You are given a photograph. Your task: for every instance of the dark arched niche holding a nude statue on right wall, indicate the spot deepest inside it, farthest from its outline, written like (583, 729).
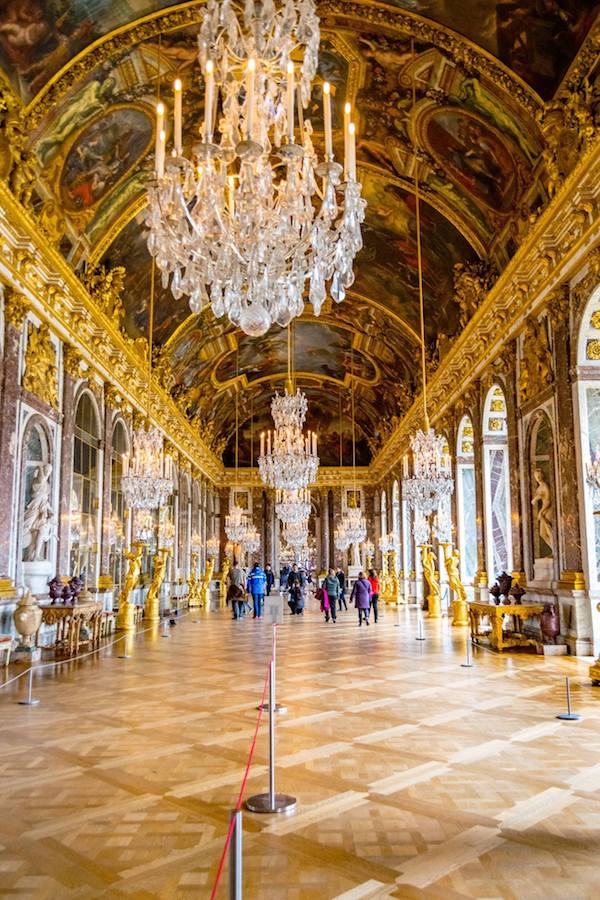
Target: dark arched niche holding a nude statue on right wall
(543, 518)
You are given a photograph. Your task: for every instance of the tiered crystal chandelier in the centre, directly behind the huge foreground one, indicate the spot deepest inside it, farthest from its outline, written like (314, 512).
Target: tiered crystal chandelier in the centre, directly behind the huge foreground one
(288, 460)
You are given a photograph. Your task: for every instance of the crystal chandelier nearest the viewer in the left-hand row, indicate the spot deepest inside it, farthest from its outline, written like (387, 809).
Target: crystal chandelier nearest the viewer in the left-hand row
(147, 480)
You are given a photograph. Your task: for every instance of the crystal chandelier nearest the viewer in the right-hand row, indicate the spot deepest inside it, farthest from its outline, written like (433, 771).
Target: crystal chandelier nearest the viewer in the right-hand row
(432, 481)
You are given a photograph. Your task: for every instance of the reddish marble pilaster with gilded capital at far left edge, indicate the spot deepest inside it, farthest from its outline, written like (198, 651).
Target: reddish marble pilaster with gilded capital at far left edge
(15, 310)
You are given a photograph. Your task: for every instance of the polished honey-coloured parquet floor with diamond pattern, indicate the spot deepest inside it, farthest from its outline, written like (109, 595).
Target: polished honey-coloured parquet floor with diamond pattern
(415, 777)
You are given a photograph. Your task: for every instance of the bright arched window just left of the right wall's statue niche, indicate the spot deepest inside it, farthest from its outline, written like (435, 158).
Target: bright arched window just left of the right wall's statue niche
(498, 539)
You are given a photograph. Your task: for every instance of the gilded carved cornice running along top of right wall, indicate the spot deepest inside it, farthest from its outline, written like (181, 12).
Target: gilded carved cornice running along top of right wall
(551, 254)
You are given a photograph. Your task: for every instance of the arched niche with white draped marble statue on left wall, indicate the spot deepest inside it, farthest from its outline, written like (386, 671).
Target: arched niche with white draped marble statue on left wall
(37, 514)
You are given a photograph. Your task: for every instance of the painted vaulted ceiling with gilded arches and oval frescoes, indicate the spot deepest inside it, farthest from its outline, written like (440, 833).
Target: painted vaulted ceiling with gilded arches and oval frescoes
(87, 73)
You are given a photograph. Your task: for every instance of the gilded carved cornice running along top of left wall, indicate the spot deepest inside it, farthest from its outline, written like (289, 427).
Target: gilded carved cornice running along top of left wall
(39, 272)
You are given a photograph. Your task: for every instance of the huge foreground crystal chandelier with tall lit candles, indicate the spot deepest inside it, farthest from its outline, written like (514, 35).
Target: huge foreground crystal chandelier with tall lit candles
(250, 216)
